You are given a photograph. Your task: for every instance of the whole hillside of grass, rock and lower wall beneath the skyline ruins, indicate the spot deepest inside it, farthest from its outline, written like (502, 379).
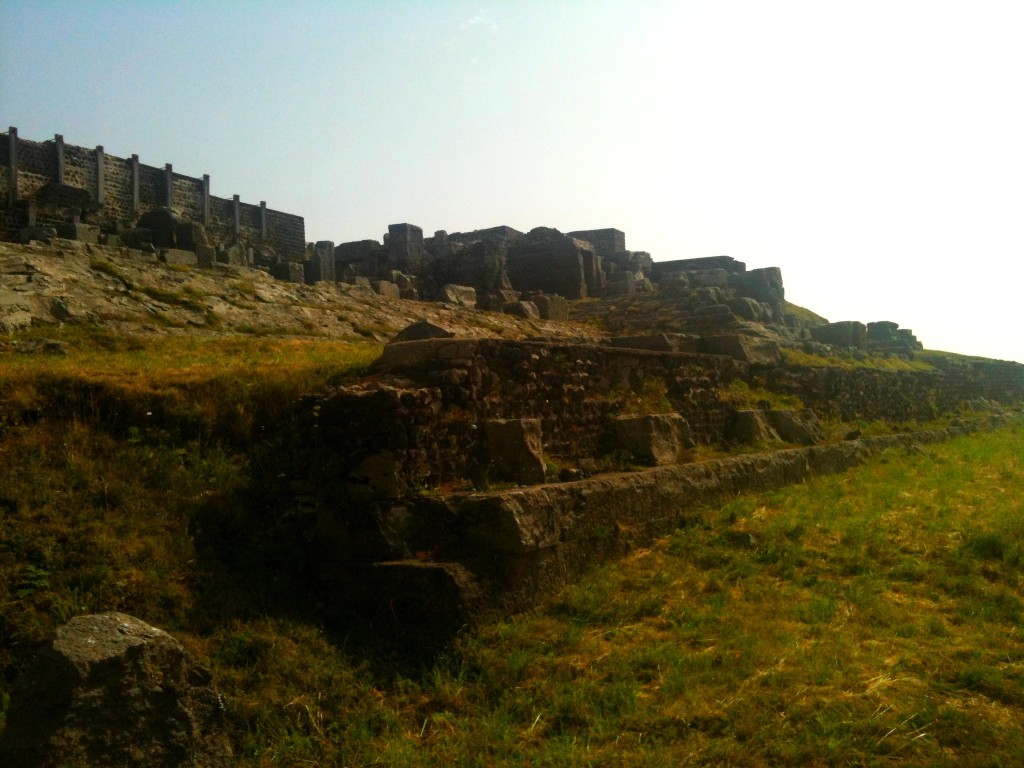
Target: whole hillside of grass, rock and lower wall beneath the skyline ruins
(394, 553)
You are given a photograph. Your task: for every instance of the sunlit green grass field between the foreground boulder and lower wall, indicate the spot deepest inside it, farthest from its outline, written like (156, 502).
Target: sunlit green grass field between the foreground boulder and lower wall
(868, 620)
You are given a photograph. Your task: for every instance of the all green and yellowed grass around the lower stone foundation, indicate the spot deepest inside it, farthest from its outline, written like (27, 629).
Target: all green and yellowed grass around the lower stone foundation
(868, 620)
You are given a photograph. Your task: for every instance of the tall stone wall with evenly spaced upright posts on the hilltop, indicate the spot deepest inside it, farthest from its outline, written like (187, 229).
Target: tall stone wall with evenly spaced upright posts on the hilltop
(130, 190)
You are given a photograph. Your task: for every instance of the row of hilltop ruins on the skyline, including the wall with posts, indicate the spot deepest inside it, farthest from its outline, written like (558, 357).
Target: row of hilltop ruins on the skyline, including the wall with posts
(54, 190)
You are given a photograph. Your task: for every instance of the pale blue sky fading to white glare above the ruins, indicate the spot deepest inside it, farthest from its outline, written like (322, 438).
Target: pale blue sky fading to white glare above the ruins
(873, 150)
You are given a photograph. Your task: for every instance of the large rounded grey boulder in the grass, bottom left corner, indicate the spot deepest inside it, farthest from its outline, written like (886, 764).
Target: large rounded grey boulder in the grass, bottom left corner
(112, 691)
